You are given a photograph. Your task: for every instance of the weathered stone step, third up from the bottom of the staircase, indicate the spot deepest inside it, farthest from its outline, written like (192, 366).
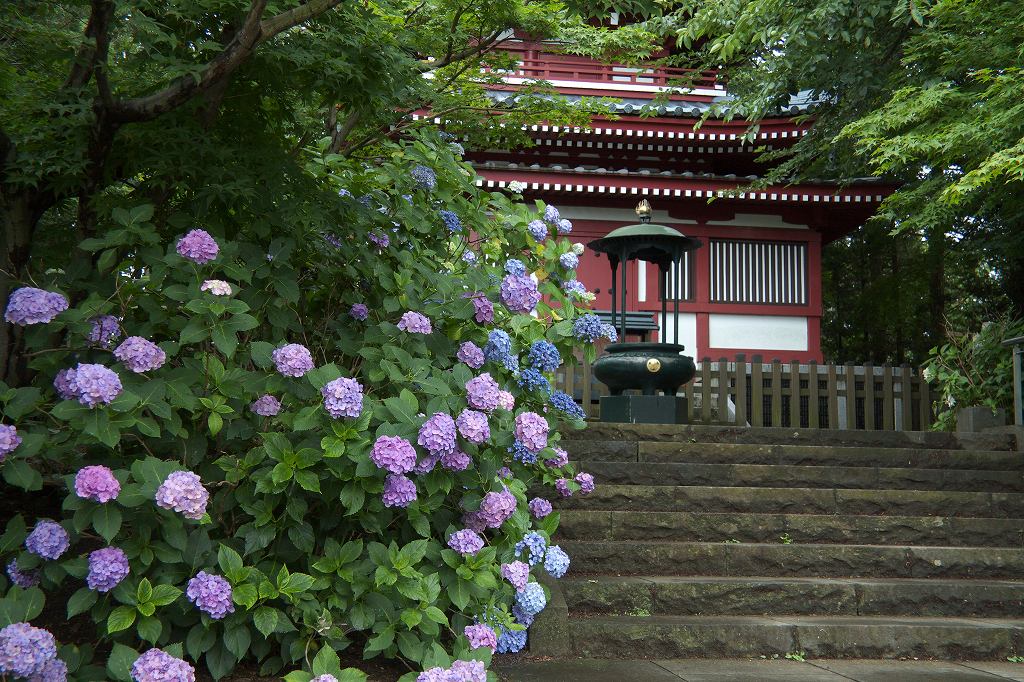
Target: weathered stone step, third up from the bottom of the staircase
(669, 559)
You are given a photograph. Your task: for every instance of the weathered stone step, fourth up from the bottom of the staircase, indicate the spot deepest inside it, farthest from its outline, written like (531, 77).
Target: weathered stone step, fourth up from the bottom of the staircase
(758, 528)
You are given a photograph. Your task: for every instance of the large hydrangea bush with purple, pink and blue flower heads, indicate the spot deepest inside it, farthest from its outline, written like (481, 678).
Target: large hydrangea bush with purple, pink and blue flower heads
(331, 447)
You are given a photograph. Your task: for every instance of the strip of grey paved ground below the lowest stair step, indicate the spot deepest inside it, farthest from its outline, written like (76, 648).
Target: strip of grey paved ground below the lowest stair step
(690, 670)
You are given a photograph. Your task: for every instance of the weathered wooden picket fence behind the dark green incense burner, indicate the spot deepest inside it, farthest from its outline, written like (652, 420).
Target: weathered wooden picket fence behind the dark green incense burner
(805, 396)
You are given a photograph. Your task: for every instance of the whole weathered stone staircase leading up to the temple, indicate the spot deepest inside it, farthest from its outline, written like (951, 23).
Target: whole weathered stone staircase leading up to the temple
(718, 542)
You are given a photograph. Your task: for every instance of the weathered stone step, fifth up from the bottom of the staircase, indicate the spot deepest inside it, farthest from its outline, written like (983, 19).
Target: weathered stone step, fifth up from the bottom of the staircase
(799, 500)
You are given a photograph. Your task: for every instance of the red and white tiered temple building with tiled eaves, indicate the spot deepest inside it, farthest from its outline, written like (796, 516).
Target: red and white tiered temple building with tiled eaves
(755, 285)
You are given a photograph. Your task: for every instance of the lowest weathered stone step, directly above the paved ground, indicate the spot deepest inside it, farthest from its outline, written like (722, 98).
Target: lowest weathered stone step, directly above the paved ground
(862, 637)
